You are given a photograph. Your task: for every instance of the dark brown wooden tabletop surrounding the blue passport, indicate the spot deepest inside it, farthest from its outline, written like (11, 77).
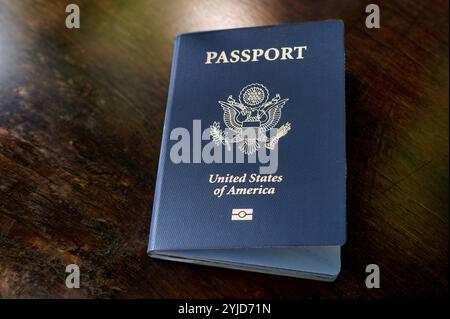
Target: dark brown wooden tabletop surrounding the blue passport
(81, 115)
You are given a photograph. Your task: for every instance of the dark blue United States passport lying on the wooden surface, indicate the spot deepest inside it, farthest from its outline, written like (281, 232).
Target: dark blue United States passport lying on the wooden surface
(252, 170)
